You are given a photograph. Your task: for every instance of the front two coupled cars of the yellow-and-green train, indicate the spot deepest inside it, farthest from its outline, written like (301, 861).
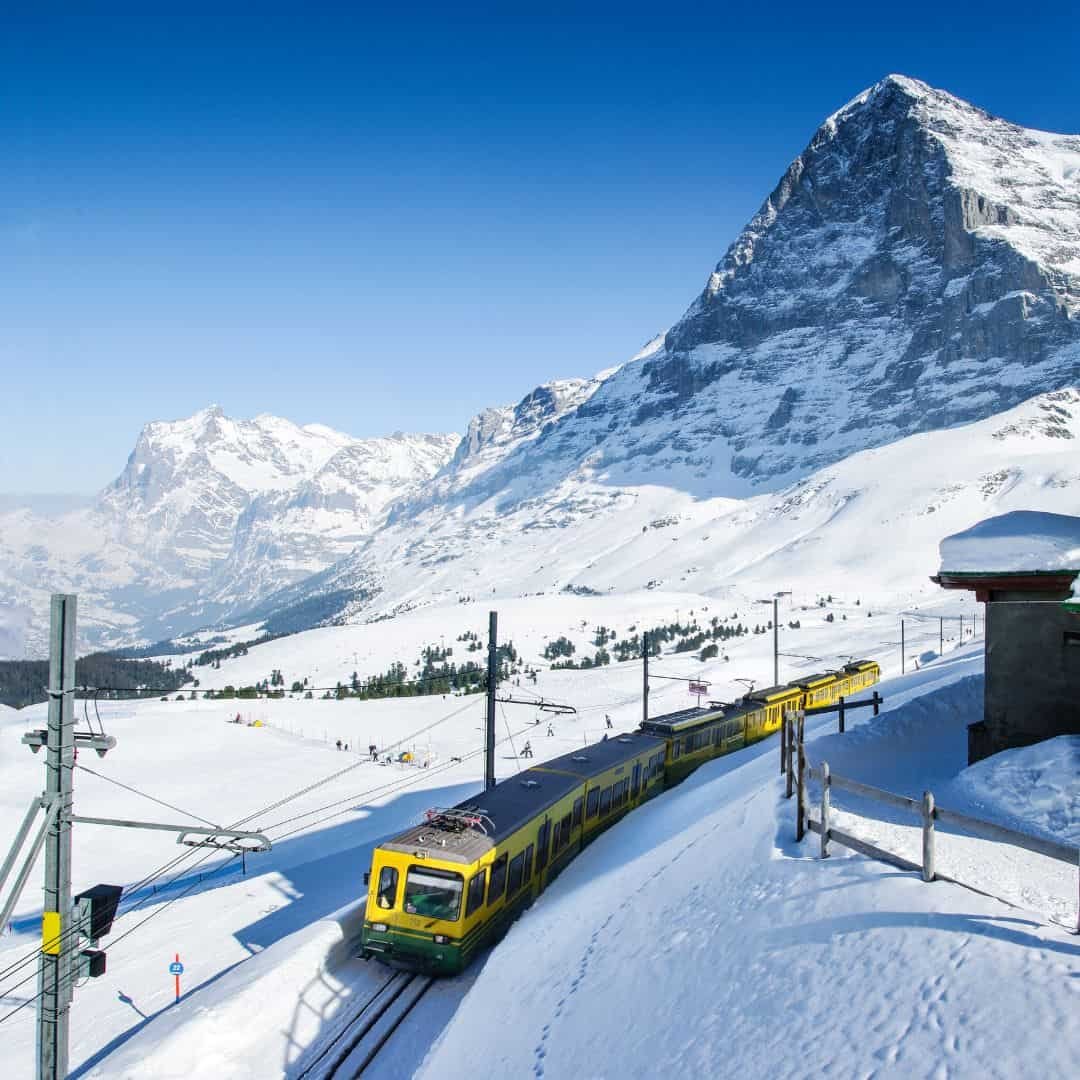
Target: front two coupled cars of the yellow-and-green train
(443, 890)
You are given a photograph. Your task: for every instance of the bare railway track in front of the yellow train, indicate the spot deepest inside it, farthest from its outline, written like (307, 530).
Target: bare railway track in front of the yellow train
(360, 1042)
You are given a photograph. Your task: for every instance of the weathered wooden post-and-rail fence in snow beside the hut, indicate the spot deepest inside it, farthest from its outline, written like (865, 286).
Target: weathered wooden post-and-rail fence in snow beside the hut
(801, 772)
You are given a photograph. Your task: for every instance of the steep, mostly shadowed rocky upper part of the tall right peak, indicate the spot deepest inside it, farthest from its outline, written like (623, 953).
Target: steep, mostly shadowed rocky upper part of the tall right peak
(919, 266)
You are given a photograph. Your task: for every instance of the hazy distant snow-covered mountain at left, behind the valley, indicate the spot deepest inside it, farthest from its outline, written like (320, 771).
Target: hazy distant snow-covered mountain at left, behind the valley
(210, 515)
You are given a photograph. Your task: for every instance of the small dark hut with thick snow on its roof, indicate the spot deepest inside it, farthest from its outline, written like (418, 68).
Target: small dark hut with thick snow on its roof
(1025, 568)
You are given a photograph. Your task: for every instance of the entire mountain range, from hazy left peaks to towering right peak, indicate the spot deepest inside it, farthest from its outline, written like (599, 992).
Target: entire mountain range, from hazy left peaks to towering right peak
(916, 268)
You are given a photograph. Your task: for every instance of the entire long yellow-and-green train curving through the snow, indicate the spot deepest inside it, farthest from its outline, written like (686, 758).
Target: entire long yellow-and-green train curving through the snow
(445, 889)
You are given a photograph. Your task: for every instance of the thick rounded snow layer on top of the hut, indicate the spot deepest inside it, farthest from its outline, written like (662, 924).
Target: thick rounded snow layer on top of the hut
(1025, 542)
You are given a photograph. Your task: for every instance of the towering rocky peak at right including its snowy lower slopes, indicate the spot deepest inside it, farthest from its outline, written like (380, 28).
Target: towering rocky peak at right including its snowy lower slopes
(917, 268)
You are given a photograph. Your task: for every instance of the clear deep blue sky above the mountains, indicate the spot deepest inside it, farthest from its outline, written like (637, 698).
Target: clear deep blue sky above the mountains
(380, 221)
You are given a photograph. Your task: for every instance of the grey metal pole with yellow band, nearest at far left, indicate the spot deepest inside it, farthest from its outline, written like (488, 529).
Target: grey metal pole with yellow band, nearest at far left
(56, 976)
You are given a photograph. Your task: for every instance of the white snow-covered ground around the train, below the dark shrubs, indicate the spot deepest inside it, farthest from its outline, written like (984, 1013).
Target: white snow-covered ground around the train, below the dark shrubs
(695, 938)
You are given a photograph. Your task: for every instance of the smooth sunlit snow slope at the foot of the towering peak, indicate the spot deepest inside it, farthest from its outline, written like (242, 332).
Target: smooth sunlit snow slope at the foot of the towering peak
(870, 525)
